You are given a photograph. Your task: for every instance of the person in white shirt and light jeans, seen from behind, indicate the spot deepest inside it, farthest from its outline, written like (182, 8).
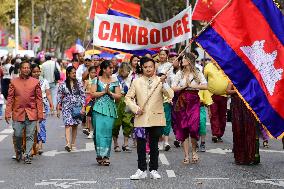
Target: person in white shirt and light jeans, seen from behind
(47, 71)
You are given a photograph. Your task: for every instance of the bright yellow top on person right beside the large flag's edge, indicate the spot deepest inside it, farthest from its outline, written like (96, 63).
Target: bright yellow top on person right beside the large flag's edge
(217, 80)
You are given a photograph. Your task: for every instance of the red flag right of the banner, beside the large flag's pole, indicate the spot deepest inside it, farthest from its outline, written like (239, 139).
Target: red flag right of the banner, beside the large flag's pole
(205, 9)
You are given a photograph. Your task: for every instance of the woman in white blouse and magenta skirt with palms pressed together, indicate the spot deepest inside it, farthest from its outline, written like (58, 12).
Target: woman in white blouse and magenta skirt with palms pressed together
(188, 82)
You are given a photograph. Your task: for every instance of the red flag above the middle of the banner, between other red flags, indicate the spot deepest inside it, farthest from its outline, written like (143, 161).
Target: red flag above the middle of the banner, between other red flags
(126, 7)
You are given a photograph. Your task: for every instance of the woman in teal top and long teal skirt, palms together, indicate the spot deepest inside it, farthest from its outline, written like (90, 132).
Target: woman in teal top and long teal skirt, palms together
(106, 90)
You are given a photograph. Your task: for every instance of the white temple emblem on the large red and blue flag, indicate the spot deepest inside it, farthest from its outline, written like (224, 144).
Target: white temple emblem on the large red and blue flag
(264, 63)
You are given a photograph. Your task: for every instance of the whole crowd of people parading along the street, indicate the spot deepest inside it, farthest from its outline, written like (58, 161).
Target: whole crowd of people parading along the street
(148, 97)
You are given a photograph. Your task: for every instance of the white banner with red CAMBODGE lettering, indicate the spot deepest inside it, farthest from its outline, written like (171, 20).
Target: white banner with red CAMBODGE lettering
(133, 34)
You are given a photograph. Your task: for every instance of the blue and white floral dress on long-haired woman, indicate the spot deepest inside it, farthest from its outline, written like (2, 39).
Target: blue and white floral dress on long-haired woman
(70, 100)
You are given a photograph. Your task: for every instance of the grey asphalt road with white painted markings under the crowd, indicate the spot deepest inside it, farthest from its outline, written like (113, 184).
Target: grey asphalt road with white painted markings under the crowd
(59, 169)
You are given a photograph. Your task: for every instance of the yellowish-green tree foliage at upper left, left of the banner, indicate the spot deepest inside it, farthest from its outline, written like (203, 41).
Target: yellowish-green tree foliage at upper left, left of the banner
(60, 21)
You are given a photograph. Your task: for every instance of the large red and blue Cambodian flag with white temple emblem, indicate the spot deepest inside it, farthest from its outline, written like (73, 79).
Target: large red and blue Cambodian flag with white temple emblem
(246, 40)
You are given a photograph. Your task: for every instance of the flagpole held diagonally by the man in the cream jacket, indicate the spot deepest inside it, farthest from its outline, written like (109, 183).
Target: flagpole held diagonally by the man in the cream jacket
(187, 46)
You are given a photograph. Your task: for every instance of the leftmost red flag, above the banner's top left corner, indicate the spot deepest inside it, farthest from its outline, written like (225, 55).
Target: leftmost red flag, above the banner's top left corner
(100, 7)
